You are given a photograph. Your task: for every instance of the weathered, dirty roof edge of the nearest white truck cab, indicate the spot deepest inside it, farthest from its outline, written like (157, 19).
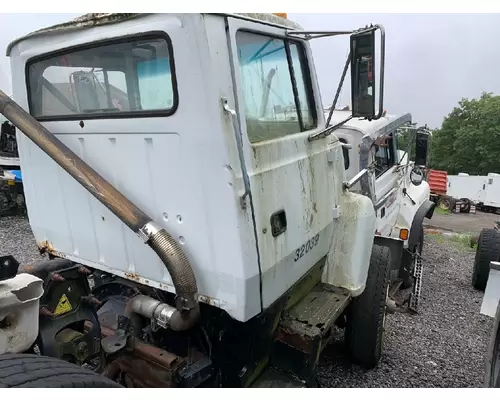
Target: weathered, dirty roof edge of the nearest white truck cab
(90, 20)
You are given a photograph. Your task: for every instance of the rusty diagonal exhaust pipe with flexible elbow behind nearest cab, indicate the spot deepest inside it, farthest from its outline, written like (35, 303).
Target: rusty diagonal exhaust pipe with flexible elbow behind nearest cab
(169, 251)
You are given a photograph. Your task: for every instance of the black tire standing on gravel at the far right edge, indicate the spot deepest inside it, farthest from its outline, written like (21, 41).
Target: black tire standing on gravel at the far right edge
(488, 249)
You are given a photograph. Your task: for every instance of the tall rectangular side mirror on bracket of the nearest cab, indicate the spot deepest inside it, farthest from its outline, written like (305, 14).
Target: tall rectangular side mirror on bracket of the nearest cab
(363, 73)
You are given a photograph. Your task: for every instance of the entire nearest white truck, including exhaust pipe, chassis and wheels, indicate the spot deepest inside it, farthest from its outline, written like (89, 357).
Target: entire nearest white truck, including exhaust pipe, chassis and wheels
(239, 245)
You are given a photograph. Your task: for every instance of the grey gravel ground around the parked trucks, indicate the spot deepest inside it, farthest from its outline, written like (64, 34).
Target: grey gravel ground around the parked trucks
(443, 346)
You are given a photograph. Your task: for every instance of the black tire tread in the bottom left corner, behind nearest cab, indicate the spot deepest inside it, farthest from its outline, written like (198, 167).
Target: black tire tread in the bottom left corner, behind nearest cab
(30, 370)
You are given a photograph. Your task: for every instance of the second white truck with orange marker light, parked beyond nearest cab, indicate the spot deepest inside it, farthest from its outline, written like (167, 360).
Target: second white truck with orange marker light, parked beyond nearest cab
(396, 187)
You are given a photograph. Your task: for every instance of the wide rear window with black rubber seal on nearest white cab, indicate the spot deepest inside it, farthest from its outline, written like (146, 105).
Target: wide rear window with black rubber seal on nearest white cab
(111, 78)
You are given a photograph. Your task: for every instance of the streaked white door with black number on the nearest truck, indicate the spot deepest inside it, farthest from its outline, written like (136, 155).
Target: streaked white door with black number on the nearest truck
(294, 185)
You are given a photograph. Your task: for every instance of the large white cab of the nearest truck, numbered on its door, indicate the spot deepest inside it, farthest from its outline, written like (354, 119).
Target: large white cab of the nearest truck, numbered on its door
(188, 171)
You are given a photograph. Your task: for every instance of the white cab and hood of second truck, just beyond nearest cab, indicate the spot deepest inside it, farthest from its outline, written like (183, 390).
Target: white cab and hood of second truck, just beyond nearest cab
(375, 143)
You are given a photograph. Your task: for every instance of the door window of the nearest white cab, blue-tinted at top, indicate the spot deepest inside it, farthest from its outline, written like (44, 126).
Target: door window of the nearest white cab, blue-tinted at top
(276, 91)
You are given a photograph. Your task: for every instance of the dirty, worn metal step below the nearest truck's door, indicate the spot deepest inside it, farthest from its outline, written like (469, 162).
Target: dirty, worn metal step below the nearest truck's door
(306, 329)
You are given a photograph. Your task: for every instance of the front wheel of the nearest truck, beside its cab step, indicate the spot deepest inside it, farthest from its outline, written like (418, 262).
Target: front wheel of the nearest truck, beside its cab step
(366, 316)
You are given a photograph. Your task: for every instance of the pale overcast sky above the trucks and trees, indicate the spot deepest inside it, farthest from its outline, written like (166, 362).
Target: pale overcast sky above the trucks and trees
(432, 60)
